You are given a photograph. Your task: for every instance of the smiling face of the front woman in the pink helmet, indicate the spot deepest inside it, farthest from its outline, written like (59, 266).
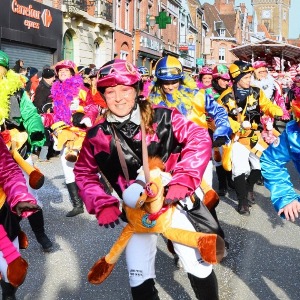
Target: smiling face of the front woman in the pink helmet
(120, 99)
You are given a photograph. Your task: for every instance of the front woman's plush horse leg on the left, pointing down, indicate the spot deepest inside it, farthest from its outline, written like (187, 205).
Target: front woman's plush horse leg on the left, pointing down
(104, 266)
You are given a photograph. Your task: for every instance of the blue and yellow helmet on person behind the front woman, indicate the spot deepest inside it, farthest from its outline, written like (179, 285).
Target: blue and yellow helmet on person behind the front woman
(168, 68)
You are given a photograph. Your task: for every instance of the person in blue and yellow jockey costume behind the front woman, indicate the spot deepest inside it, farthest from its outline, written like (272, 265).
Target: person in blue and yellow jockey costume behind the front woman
(175, 88)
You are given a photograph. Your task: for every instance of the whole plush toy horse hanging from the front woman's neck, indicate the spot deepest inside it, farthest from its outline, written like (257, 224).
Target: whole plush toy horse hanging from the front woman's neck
(146, 213)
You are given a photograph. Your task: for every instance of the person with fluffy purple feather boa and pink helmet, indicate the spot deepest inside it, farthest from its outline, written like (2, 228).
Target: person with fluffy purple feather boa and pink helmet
(73, 112)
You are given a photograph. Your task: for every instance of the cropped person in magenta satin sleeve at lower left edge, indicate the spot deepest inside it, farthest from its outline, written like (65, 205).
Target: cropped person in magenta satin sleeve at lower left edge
(15, 203)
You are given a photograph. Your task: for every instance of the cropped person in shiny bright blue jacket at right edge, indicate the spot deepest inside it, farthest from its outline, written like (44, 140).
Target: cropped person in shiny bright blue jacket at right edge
(273, 166)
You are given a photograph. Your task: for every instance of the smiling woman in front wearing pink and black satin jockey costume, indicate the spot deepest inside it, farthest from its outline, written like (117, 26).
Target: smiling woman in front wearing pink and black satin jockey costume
(185, 149)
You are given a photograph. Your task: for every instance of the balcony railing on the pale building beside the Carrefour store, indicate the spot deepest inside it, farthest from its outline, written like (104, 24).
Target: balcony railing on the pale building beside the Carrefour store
(96, 8)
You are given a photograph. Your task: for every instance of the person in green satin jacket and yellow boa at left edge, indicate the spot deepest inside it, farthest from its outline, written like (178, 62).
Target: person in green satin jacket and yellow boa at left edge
(18, 113)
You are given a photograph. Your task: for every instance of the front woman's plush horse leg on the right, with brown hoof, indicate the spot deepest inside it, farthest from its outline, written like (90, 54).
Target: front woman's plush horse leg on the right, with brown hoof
(210, 246)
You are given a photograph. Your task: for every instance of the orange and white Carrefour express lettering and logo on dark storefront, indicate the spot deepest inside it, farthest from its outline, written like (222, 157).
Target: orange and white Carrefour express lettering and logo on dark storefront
(30, 12)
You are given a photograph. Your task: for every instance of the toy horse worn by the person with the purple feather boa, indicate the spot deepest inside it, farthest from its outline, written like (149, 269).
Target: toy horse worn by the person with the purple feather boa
(69, 136)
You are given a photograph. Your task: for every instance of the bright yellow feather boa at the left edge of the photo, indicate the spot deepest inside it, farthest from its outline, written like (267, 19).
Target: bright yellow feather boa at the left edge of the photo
(8, 86)
